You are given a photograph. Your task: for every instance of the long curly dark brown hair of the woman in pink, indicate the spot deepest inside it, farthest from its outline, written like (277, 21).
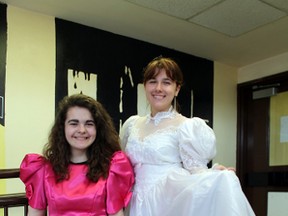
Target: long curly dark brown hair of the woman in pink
(57, 150)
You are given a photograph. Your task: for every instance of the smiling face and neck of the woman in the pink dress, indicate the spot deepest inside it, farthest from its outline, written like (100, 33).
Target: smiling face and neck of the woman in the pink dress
(80, 131)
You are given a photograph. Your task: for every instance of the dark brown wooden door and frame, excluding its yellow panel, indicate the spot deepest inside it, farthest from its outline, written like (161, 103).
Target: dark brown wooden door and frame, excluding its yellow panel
(257, 176)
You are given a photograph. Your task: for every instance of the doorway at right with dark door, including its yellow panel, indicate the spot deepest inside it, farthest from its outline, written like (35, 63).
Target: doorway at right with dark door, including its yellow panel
(262, 130)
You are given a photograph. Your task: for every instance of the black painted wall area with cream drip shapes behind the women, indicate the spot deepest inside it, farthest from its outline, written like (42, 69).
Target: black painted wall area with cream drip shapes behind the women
(83, 48)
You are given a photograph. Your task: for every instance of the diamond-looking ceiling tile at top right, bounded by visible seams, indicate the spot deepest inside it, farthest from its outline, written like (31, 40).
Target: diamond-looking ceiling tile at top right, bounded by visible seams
(234, 17)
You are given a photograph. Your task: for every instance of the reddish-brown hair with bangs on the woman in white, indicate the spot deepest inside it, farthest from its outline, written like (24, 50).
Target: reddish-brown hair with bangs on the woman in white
(172, 69)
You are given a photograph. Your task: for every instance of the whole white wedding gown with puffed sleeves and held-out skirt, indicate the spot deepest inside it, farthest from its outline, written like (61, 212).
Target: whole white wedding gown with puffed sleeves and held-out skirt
(169, 154)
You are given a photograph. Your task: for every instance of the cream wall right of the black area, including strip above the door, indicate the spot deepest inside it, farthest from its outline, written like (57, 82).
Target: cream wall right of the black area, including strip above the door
(226, 79)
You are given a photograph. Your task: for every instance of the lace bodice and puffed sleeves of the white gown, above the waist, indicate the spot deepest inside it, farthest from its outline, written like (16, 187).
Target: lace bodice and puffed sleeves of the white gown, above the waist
(169, 138)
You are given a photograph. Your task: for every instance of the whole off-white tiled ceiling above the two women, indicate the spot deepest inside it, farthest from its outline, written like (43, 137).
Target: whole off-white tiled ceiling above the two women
(233, 32)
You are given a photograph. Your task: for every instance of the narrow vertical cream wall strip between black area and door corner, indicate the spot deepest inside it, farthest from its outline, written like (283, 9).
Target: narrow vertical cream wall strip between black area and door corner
(225, 113)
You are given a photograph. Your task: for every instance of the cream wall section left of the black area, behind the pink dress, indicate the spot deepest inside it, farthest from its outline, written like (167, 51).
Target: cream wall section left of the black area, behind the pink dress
(30, 84)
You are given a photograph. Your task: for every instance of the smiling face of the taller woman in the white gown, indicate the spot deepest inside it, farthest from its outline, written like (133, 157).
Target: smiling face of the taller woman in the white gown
(160, 92)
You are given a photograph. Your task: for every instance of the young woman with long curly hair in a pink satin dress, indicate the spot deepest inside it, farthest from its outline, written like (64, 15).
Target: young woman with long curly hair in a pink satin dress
(82, 170)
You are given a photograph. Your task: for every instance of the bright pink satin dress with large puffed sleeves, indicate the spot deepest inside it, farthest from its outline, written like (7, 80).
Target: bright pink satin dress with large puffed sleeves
(77, 195)
